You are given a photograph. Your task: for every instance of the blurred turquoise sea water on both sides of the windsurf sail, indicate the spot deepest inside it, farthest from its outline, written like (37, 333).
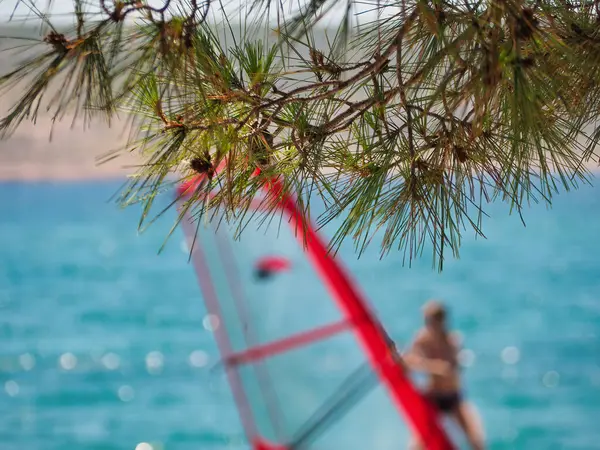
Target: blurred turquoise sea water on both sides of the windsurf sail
(103, 342)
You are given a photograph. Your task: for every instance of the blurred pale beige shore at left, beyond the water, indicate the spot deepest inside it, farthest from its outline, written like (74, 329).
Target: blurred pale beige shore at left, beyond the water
(71, 153)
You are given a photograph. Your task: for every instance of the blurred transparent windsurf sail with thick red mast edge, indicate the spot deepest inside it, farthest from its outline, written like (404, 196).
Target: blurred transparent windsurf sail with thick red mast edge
(308, 363)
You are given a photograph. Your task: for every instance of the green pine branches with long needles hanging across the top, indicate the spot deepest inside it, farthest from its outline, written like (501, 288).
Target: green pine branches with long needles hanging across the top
(406, 123)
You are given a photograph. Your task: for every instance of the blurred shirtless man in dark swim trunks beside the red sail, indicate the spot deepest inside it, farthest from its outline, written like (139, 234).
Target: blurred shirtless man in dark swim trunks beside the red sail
(435, 351)
